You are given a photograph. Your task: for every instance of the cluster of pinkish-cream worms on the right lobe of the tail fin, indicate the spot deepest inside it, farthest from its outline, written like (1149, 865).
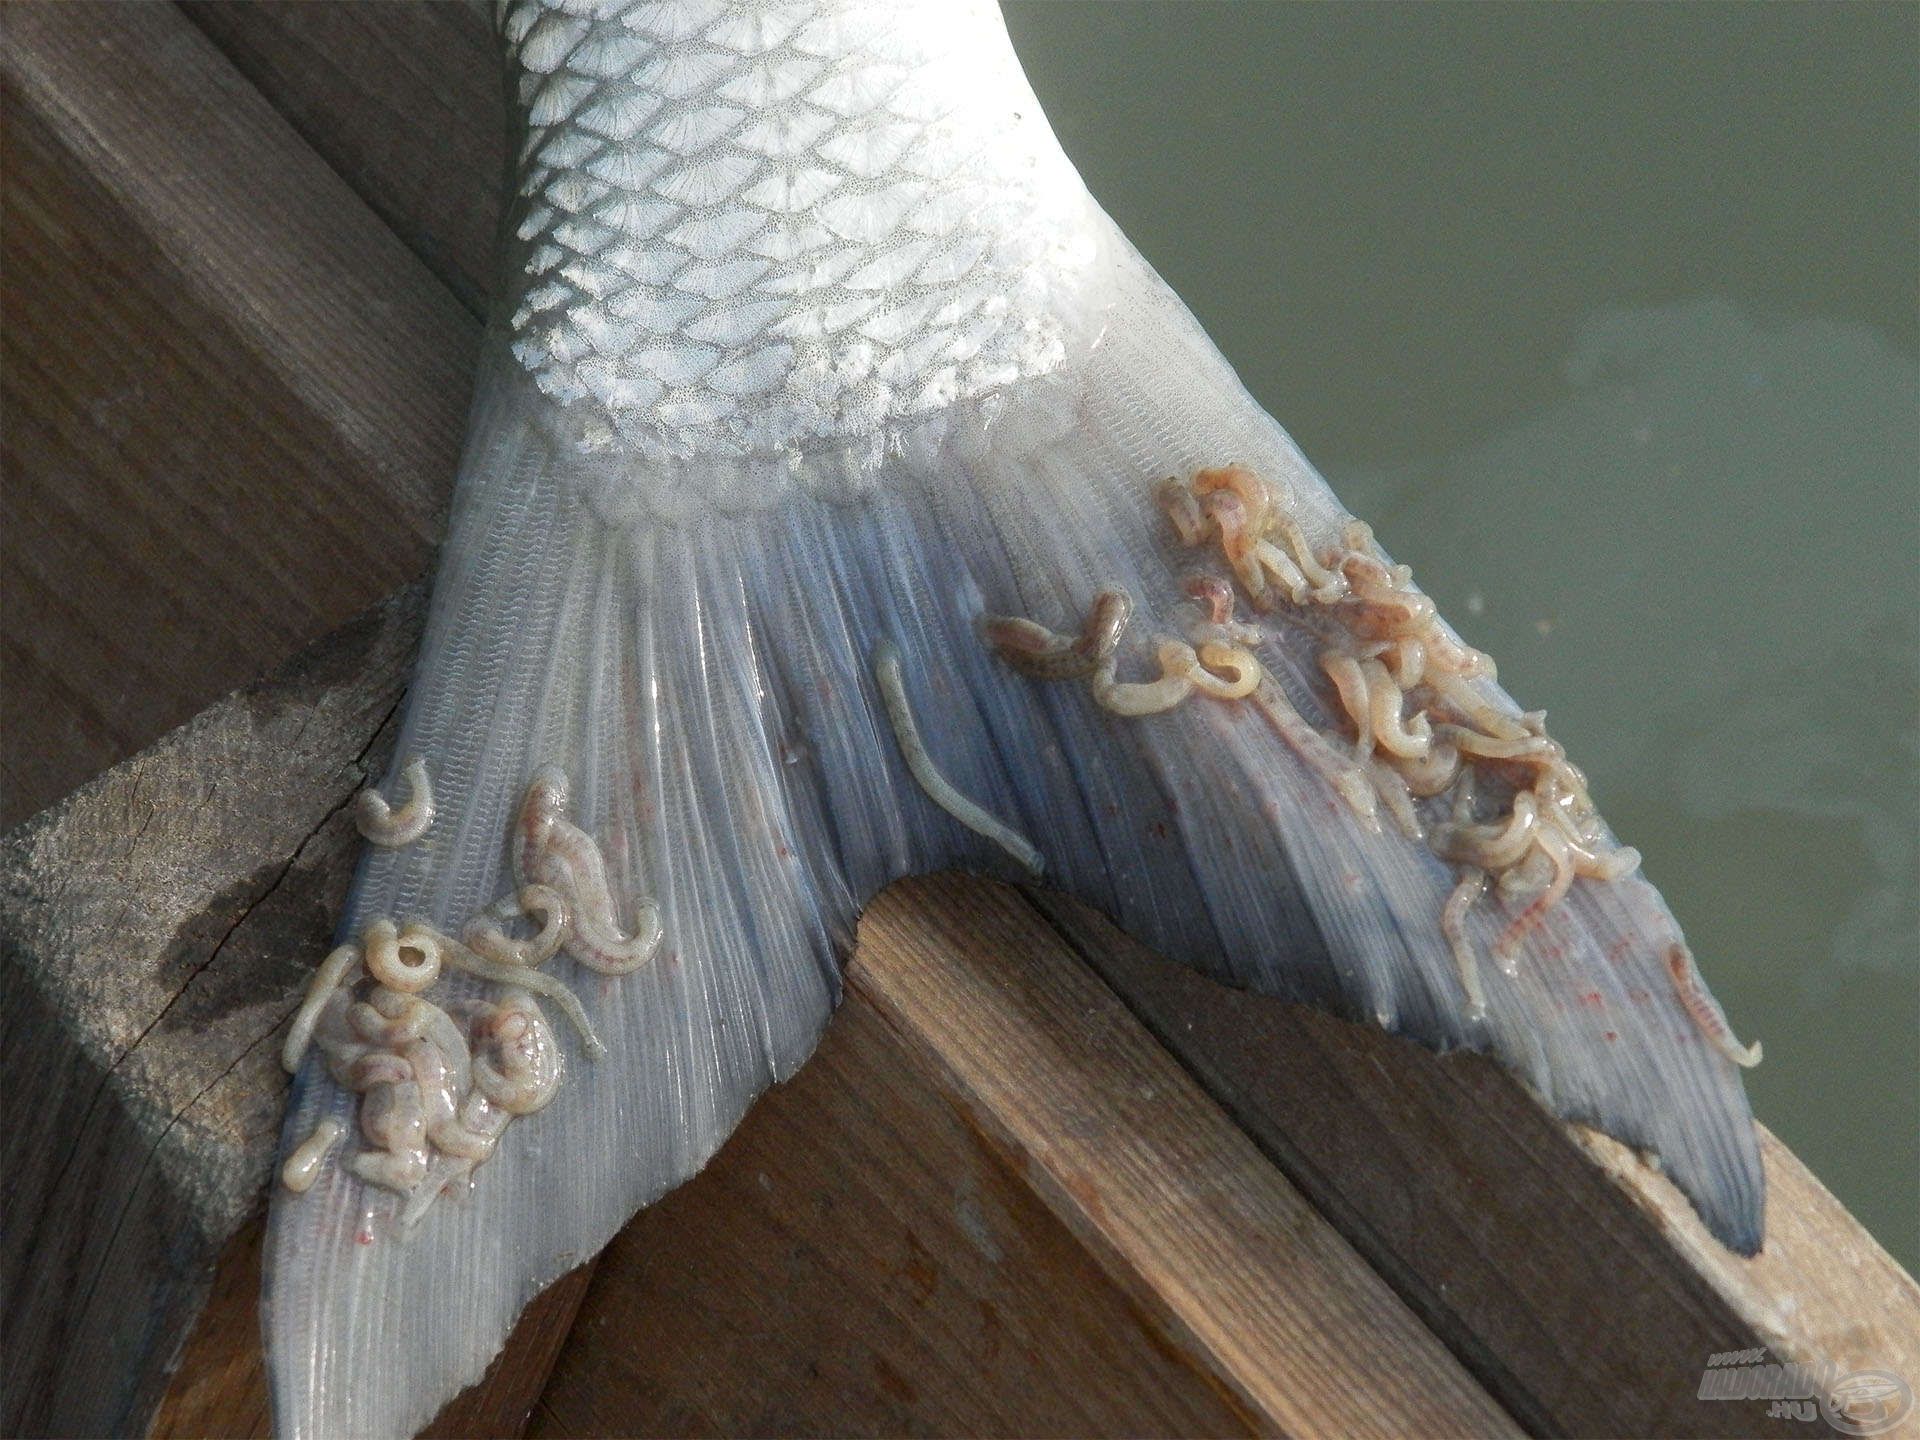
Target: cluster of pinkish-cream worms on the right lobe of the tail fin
(1414, 717)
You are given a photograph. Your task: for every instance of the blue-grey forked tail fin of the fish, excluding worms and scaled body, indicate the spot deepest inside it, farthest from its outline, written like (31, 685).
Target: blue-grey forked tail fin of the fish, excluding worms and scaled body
(692, 644)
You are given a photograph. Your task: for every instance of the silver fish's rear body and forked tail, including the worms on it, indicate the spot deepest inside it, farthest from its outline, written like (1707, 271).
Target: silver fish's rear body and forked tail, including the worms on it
(846, 498)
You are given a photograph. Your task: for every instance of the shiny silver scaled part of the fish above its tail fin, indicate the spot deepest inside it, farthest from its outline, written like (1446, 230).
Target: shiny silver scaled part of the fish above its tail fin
(873, 181)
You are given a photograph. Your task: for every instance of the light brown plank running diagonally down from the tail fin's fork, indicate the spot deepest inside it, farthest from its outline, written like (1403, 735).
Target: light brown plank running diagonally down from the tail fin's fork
(1159, 1184)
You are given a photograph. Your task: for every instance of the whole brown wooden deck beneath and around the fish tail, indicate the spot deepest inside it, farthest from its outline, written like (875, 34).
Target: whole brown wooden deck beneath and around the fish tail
(1034, 1184)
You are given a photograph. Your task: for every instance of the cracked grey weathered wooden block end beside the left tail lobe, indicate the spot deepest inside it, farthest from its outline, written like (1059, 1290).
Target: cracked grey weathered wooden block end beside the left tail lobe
(155, 930)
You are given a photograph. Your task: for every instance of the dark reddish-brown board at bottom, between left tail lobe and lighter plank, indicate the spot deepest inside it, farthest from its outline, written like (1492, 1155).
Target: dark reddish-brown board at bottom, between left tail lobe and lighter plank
(861, 1260)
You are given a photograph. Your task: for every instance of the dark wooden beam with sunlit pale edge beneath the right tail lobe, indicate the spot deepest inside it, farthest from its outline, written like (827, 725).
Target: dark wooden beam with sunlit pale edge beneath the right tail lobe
(1575, 1282)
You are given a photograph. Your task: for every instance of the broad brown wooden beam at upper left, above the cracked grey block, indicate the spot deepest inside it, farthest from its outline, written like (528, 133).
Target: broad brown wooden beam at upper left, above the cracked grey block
(233, 396)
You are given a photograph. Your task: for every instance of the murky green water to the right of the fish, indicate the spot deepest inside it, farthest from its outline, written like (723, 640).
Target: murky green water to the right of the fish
(1608, 320)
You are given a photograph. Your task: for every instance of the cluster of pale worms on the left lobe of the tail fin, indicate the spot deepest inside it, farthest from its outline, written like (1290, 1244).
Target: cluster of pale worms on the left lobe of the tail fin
(439, 1084)
